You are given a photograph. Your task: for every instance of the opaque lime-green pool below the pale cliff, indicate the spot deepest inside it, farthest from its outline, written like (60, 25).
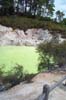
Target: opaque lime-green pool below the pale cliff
(26, 56)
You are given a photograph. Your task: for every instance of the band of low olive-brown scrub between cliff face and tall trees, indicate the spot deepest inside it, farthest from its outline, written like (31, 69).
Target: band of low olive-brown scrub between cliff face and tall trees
(26, 23)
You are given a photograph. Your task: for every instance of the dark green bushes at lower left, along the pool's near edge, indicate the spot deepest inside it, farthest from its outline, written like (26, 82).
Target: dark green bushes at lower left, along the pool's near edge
(14, 76)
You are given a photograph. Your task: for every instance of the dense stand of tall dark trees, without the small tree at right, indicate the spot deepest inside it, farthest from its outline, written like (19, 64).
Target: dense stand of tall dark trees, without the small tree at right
(35, 7)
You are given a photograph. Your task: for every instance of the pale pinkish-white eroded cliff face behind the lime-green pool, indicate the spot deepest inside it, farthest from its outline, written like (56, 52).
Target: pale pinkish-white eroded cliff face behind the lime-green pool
(30, 37)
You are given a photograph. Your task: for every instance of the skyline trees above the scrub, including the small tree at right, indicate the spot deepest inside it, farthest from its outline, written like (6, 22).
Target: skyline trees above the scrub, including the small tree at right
(30, 8)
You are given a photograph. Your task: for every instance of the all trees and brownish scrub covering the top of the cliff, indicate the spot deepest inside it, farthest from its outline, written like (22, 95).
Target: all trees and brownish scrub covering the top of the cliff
(26, 14)
